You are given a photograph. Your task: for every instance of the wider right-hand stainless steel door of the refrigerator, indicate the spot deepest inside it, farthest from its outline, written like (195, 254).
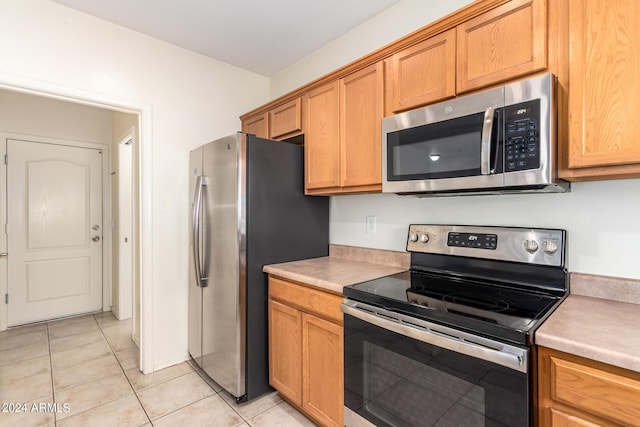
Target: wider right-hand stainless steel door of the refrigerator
(223, 316)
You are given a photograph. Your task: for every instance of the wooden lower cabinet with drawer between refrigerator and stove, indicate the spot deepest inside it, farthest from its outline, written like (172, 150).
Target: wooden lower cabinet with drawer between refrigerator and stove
(306, 349)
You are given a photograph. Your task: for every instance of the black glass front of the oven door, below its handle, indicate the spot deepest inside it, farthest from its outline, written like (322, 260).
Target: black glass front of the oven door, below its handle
(393, 380)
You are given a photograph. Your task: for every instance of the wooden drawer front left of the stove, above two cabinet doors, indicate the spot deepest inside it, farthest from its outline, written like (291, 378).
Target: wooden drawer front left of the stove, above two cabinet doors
(307, 299)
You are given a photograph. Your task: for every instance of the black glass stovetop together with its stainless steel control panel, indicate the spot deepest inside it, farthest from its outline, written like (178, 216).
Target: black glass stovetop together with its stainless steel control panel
(484, 291)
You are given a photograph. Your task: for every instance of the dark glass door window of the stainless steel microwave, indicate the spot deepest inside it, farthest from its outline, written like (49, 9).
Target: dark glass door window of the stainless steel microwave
(447, 149)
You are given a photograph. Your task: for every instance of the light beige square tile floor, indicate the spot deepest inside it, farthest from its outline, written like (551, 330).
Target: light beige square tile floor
(83, 371)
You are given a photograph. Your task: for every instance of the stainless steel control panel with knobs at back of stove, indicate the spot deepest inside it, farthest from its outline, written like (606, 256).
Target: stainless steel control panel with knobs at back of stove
(528, 245)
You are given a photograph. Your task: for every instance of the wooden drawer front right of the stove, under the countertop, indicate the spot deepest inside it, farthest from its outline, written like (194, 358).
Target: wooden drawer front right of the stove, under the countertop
(595, 391)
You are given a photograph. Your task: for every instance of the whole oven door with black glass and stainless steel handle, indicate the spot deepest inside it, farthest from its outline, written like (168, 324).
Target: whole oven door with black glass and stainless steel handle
(402, 371)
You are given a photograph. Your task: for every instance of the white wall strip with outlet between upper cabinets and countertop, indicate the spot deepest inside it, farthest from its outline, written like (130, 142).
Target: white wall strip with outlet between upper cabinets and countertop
(602, 220)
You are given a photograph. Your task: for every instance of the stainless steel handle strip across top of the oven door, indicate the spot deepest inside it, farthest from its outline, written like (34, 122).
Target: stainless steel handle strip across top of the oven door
(441, 336)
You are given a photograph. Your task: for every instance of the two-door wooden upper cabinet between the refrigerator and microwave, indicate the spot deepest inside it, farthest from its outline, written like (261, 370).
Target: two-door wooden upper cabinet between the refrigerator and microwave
(342, 134)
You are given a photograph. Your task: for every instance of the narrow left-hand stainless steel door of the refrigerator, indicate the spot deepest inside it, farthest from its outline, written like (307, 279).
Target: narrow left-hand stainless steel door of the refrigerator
(195, 291)
